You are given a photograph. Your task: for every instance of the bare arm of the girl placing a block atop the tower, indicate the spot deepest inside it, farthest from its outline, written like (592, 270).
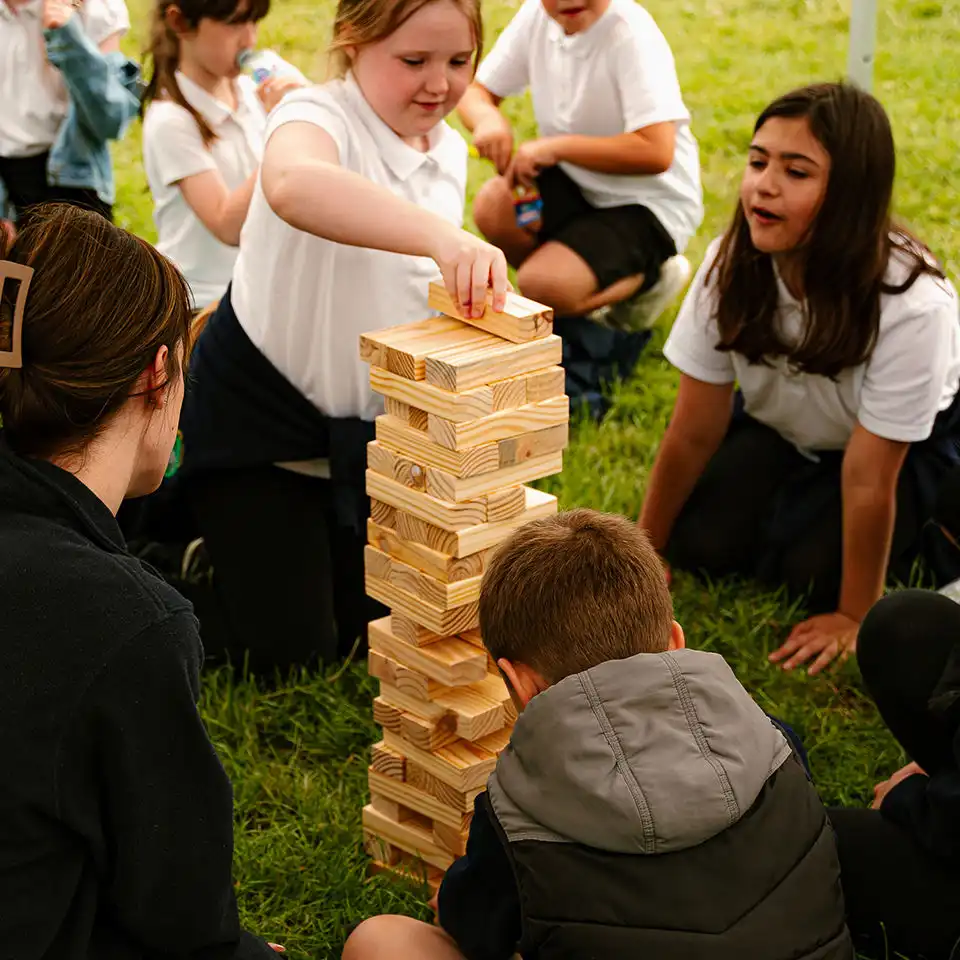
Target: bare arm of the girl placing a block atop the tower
(305, 185)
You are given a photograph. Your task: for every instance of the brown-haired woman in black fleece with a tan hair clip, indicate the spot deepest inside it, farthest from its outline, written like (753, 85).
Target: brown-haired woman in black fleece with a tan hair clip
(116, 816)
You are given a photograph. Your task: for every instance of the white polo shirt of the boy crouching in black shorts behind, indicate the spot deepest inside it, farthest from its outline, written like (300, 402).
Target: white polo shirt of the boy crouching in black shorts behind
(615, 77)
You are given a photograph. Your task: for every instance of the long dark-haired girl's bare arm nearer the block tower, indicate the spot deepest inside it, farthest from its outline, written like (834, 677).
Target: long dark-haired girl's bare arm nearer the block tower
(697, 427)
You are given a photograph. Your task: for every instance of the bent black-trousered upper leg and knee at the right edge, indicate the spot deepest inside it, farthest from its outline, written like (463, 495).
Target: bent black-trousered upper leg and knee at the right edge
(905, 644)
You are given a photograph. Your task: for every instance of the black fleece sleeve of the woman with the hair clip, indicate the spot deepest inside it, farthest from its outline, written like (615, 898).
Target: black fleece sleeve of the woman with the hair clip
(140, 781)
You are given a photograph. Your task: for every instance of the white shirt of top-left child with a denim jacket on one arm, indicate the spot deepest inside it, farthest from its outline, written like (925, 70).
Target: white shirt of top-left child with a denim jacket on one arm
(33, 97)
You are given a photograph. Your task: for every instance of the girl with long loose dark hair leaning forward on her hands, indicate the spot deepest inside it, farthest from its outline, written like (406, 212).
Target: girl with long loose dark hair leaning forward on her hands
(844, 338)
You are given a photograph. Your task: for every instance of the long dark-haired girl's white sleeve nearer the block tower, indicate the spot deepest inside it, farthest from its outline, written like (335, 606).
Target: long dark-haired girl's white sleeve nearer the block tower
(692, 344)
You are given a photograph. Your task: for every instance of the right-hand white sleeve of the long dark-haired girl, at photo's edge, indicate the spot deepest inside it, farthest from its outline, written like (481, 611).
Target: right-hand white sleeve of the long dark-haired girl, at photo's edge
(906, 377)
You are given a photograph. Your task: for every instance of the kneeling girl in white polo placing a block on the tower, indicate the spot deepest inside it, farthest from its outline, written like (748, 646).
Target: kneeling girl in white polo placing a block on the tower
(358, 206)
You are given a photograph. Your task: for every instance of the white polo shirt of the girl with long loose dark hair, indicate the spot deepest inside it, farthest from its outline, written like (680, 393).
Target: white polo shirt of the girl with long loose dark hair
(912, 374)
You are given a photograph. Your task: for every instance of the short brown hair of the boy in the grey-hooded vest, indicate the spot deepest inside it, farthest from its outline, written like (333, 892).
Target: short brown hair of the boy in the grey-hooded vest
(568, 592)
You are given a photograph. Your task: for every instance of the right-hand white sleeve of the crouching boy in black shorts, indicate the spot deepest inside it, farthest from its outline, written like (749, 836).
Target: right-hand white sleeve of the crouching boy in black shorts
(647, 78)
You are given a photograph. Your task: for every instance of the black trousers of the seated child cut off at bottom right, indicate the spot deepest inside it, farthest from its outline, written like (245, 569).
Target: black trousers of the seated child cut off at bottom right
(900, 897)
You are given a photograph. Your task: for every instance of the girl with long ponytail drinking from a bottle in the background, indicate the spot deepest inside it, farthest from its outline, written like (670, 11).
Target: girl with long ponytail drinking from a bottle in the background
(203, 134)
